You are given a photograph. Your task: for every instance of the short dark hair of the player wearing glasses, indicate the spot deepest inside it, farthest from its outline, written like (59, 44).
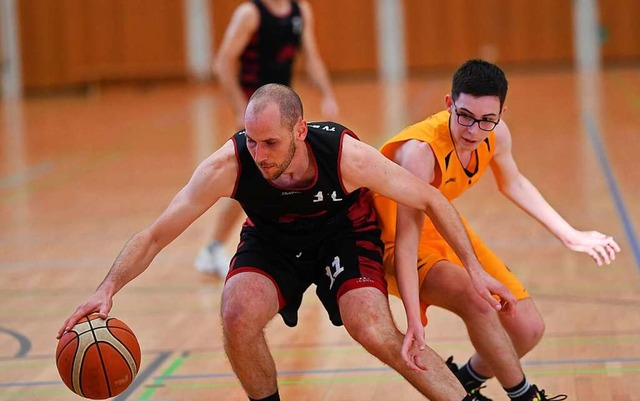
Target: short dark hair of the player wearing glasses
(479, 78)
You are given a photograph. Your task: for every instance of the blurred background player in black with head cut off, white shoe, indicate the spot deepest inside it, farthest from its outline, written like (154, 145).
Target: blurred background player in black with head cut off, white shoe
(263, 37)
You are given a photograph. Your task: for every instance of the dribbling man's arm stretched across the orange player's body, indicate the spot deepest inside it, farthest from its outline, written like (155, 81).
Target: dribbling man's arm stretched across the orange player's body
(364, 166)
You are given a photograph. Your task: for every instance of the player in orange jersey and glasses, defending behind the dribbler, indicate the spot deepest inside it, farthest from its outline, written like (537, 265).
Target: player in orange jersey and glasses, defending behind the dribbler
(451, 150)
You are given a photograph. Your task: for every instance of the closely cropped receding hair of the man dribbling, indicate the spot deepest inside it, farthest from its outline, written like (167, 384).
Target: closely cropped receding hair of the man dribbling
(287, 99)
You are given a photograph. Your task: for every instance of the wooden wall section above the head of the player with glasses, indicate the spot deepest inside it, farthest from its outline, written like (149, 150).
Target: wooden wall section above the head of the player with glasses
(444, 34)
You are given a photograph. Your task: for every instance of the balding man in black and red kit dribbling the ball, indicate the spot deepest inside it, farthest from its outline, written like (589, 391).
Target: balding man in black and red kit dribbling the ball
(310, 221)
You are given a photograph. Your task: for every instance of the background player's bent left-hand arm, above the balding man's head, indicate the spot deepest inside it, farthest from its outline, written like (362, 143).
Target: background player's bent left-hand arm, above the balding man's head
(244, 22)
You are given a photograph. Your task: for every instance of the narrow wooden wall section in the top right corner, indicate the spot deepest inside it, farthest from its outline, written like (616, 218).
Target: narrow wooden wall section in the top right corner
(620, 29)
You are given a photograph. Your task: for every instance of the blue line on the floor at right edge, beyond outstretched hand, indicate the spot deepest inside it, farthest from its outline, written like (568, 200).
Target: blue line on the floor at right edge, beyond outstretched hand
(596, 141)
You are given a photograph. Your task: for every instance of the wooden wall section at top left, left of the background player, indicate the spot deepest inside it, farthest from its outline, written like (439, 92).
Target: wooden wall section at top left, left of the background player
(70, 42)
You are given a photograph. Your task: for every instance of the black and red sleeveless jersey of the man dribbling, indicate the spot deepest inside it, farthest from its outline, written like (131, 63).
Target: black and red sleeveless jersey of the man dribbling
(299, 218)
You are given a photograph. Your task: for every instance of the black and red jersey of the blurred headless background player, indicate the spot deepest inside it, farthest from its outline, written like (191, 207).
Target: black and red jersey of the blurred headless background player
(269, 56)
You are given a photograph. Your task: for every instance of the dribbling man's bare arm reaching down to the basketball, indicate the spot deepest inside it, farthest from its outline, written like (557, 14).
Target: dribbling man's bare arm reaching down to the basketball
(214, 178)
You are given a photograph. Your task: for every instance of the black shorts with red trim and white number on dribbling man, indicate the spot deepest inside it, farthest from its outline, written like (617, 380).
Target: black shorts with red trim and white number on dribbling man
(335, 265)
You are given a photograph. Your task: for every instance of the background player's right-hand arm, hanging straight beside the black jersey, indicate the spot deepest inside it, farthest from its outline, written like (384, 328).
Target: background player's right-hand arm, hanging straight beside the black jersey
(313, 63)
